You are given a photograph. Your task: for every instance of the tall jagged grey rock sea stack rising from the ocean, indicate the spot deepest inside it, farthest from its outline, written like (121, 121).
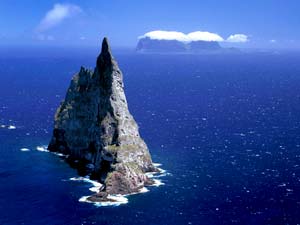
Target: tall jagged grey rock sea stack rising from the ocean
(94, 127)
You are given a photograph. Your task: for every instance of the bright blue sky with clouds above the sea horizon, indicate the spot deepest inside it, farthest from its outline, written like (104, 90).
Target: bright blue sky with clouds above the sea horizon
(263, 23)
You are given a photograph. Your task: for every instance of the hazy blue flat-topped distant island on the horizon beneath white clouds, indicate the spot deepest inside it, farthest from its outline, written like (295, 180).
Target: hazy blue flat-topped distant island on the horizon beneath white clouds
(148, 45)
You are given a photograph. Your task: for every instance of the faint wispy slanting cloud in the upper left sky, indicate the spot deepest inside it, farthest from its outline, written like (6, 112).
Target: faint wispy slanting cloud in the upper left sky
(57, 14)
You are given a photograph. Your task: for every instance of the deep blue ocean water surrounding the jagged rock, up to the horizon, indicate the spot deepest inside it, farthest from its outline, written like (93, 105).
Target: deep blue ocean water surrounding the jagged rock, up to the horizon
(227, 128)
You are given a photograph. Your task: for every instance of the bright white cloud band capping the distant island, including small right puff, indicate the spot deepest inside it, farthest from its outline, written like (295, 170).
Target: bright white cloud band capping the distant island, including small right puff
(193, 36)
